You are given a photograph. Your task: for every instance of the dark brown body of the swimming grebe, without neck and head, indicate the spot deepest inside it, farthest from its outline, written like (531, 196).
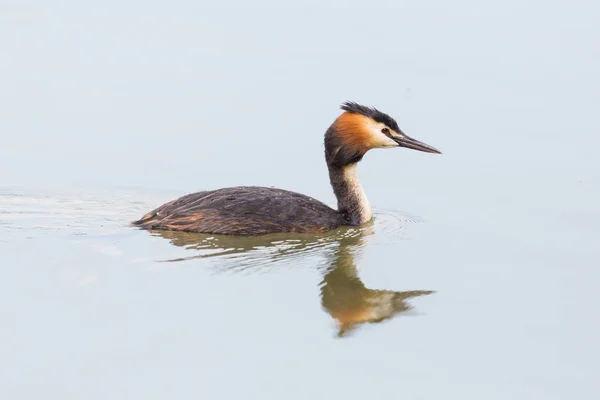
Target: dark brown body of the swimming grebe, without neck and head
(243, 210)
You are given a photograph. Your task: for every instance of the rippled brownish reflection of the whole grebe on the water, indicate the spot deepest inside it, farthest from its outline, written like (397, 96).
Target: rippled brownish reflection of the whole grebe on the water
(343, 295)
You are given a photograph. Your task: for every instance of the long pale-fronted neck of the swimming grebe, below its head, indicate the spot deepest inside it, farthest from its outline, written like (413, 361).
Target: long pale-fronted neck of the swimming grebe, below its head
(352, 201)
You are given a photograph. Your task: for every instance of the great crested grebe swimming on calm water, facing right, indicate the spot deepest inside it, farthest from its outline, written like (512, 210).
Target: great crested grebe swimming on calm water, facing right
(253, 210)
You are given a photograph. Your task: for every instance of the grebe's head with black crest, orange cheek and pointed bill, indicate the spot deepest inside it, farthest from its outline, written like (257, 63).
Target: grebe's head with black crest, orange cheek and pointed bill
(360, 129)
